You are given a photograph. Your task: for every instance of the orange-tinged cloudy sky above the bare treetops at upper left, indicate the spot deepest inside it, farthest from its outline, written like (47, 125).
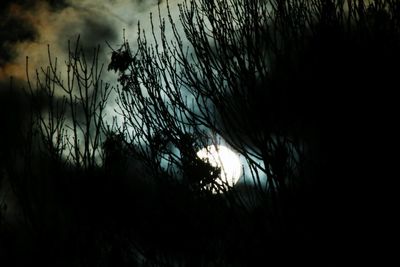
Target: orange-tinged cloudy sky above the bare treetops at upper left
(28, 26)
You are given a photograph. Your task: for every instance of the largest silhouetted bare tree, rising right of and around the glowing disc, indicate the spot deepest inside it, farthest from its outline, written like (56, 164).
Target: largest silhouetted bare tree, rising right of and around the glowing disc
(283, 82)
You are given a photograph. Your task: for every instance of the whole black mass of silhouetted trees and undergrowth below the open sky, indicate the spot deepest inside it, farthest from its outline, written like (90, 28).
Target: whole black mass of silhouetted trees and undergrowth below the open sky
(294, 86)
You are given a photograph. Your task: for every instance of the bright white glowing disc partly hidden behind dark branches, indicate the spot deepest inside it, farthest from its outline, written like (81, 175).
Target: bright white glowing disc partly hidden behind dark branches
(224, 158)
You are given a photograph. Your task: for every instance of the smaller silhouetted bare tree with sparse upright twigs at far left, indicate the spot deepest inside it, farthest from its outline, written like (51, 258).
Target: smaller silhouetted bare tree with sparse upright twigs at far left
(56, 175)
